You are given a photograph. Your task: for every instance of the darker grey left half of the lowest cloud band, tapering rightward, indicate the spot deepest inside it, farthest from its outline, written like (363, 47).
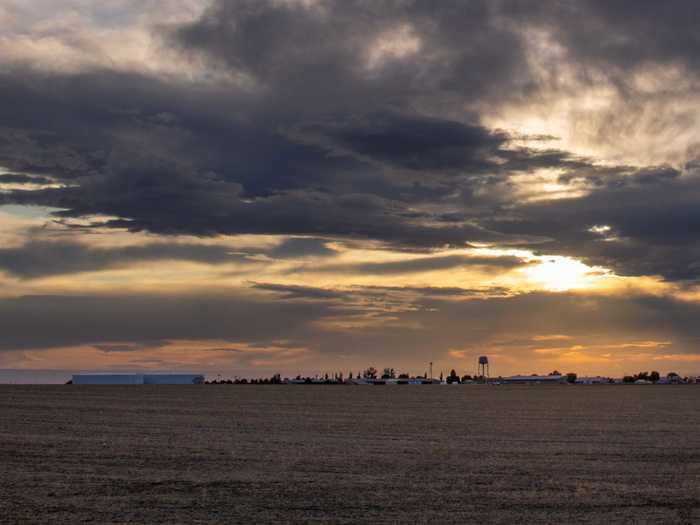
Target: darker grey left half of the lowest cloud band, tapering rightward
(150, 320)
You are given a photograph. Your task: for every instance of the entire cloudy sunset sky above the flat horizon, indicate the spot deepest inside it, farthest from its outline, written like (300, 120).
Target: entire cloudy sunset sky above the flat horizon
(246, 187)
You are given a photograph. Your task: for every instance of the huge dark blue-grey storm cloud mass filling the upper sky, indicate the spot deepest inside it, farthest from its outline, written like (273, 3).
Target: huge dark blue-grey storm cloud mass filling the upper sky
(320, 137)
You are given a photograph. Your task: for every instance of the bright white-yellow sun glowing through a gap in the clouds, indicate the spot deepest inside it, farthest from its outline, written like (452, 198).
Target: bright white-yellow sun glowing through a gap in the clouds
(557, 273)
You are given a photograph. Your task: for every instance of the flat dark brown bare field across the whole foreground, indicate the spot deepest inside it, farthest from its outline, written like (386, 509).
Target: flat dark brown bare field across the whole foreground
(393, 454)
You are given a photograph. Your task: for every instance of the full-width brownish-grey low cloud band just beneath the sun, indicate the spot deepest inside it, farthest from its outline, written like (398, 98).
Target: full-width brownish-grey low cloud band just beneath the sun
(423, 330)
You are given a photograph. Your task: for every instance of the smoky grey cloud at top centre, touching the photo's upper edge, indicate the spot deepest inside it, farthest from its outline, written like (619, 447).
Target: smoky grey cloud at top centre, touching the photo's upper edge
(318, 56)
